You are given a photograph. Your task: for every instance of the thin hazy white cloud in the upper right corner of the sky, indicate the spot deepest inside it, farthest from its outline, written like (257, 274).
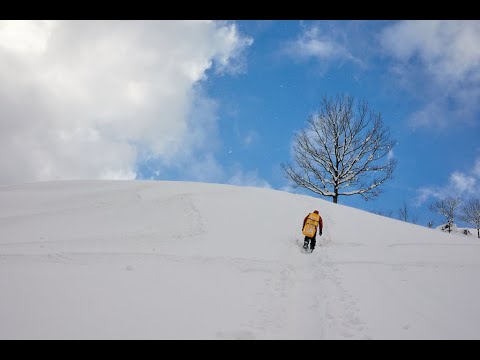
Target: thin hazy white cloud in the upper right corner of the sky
(448, 56)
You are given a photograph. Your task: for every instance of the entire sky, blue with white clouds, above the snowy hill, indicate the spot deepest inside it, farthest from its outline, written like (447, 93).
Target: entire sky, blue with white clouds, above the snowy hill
(221, 101)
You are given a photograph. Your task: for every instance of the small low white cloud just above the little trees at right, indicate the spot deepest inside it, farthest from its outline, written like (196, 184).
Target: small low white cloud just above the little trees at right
(459, 184)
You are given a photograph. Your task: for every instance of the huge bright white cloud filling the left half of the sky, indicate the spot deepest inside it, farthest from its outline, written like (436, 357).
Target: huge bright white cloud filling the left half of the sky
(86, 99)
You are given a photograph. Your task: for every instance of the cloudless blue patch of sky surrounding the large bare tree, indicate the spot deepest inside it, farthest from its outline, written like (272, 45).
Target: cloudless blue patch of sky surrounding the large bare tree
(261, 108)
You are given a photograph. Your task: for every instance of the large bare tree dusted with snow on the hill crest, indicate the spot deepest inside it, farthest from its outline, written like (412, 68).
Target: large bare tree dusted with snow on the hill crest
(345, 150)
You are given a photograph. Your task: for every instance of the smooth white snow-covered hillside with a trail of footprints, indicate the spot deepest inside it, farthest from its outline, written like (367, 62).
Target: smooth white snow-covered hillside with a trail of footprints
(178, 260)
